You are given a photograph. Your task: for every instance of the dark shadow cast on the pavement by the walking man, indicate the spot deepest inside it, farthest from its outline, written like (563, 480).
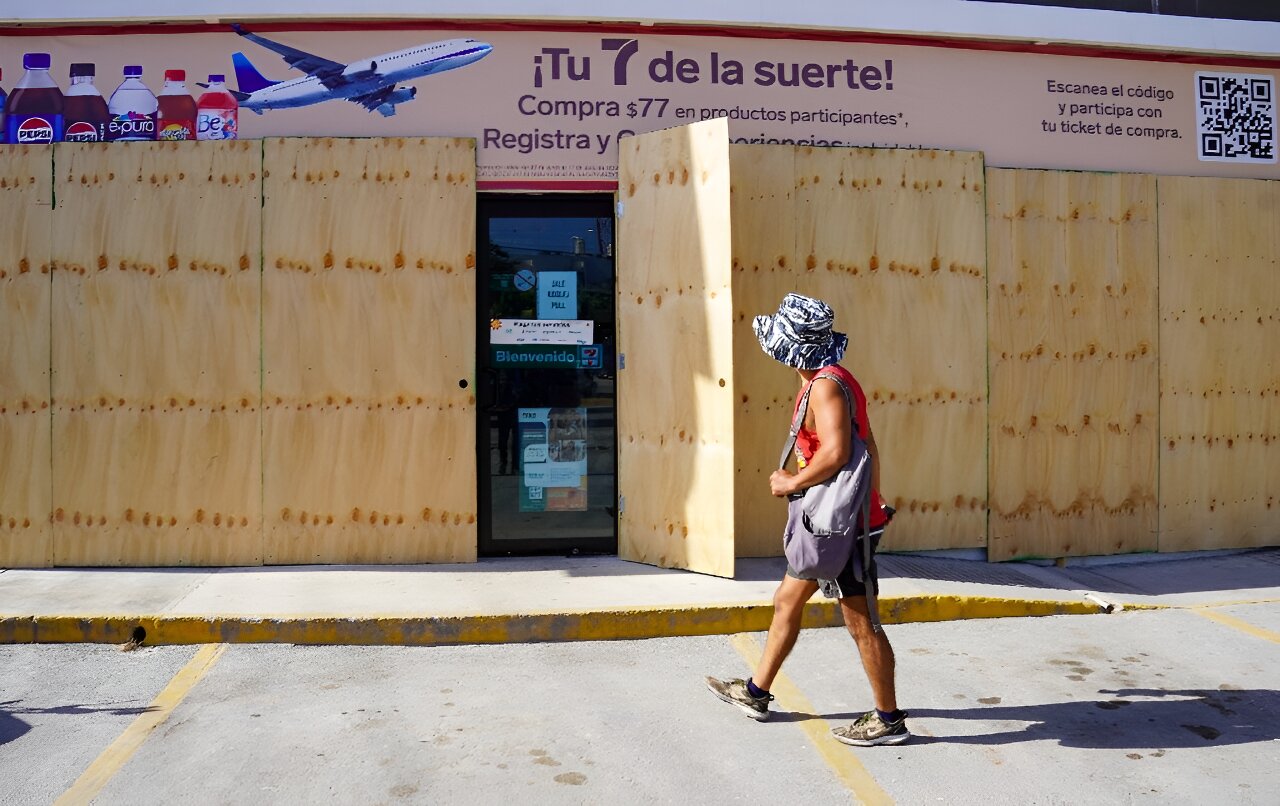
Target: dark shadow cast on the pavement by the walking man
(1131, 718)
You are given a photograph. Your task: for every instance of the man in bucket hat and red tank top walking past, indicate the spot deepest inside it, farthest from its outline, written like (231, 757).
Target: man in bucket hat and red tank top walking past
(801, 336)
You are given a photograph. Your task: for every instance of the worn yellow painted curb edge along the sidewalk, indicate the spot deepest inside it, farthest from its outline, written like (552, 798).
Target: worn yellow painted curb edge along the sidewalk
(508, 629)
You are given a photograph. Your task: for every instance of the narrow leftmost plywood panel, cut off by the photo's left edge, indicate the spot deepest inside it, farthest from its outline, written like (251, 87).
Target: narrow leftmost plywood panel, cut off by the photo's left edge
(26, 535)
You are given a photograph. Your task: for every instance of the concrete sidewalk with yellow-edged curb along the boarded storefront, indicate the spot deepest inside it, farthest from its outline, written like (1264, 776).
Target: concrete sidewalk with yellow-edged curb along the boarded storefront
(575, 599)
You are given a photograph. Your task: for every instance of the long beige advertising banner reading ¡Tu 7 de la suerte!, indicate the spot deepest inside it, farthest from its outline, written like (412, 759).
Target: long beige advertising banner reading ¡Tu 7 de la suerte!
(548, 107)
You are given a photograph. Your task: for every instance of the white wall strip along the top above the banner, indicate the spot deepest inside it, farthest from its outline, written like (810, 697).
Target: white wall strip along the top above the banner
(952, 19)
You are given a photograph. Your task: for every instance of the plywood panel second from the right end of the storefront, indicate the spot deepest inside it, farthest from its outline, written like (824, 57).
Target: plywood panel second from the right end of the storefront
(1075, 384)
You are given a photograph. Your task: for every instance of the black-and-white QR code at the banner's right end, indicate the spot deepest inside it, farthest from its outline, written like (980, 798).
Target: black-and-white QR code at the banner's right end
(1236, 117)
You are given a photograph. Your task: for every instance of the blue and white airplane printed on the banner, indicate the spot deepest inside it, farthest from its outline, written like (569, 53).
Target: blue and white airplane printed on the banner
(368, 83)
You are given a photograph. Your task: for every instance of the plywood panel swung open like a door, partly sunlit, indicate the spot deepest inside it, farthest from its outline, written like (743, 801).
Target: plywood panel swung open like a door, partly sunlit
(675, 328)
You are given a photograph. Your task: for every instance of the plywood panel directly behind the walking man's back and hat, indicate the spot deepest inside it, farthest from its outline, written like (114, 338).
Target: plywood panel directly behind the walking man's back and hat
(894, 241)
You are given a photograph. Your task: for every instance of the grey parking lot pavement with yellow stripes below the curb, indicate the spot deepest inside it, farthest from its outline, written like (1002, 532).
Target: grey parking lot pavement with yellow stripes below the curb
(1169, 707)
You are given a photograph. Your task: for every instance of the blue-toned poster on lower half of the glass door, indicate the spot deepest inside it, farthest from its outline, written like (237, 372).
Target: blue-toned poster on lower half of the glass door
(554, 459)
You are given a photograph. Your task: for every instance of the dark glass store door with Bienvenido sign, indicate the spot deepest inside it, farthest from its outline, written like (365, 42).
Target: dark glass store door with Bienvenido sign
(547, 448)
